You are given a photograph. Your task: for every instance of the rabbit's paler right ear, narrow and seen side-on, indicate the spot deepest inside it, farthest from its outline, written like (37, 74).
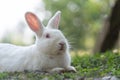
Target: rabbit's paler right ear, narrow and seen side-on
(54, 21)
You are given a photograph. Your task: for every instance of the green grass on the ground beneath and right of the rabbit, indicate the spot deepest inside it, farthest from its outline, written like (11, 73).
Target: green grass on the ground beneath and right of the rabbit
(87, 66)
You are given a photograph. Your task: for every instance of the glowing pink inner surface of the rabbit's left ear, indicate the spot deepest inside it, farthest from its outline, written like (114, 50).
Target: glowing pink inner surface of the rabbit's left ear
(32, 21)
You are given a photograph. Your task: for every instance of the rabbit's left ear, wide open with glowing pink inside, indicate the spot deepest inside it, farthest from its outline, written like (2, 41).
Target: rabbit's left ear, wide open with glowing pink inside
(34, 23)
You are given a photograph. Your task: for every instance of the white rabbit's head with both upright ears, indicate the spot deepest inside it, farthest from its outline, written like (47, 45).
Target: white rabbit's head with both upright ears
(49, 39)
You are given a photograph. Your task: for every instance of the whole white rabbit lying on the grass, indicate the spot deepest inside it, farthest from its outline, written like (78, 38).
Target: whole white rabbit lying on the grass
(49, 53)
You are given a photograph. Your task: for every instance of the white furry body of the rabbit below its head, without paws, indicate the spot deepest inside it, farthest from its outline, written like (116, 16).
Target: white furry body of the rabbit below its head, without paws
(28, 58)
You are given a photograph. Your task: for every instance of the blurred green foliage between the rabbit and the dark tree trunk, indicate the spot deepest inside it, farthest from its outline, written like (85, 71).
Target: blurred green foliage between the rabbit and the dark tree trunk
(81, 19)
